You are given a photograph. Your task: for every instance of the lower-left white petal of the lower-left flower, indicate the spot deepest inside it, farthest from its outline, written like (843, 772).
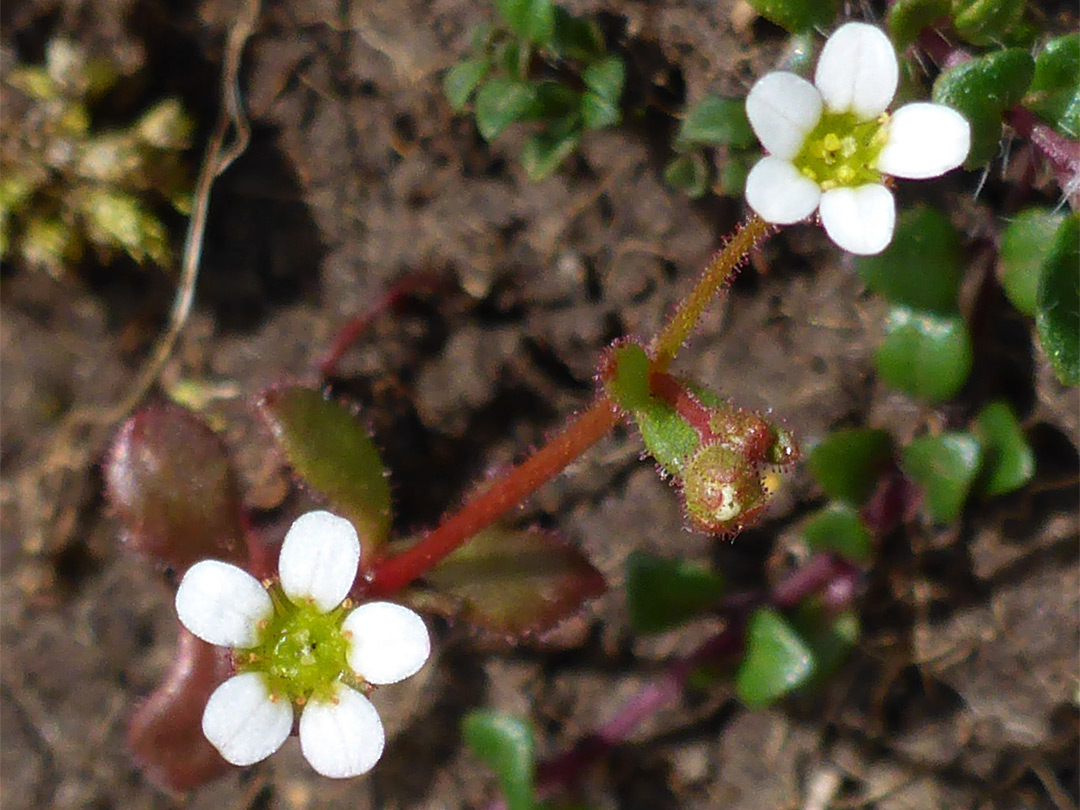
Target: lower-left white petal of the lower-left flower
(242, 723)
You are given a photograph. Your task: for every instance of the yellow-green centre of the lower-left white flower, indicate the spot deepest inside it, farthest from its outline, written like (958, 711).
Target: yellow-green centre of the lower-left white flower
(302, 653)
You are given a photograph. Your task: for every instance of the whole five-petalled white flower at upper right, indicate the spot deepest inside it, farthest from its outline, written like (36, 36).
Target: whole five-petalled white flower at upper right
(830, 143)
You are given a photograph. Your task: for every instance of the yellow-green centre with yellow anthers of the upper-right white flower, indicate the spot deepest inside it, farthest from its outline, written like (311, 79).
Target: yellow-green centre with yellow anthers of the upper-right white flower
(842, 151)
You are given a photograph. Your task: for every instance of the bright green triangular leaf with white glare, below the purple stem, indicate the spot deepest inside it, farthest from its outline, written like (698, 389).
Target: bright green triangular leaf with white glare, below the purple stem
(778, 660)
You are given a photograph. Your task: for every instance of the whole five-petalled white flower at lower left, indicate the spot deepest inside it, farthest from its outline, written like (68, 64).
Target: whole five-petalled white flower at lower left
(296, 644)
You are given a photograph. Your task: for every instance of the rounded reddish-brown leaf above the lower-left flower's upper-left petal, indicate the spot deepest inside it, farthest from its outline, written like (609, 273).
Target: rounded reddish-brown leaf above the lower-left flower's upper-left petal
(171, 483)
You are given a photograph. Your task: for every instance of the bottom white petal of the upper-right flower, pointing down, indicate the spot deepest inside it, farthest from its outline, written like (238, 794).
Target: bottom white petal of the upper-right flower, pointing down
(859, 220)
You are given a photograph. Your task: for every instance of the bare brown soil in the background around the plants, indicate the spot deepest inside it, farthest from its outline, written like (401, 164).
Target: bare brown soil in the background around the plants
(963, 693)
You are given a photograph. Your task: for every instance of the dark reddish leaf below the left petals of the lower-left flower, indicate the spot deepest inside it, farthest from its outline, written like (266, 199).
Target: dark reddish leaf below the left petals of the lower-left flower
(166, 734)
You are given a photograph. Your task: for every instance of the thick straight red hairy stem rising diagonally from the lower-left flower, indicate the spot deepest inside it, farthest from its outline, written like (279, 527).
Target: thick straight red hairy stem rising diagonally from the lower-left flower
(480, 512)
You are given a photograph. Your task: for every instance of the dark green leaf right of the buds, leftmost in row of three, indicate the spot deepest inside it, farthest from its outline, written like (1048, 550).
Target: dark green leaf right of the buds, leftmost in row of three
(847, 463)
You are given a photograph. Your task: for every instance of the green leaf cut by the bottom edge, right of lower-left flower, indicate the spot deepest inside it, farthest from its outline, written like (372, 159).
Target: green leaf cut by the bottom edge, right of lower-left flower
(505, 745)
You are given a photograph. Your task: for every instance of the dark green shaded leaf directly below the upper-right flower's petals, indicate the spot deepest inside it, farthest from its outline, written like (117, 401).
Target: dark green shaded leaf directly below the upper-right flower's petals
(923, 266)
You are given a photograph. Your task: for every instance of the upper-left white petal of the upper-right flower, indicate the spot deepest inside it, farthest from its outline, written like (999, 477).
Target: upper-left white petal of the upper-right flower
(784, 109)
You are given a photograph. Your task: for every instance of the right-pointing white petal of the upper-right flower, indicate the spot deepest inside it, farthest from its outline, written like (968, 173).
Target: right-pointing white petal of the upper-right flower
(925, 141)
